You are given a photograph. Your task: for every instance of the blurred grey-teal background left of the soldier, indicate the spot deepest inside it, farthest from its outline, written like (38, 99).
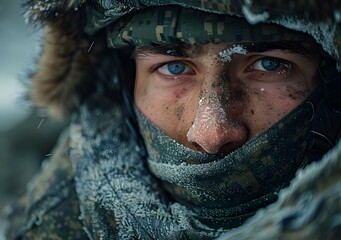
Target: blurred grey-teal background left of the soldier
(26, 134)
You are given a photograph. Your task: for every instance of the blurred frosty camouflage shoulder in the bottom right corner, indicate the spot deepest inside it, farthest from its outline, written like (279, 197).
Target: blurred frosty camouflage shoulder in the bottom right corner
(308, 209)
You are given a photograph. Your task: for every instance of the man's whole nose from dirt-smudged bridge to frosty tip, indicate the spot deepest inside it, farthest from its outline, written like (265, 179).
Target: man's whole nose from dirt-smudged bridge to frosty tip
(213, 129)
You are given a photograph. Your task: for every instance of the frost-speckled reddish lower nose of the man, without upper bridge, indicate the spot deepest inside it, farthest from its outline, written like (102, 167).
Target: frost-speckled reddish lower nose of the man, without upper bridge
(212, 130)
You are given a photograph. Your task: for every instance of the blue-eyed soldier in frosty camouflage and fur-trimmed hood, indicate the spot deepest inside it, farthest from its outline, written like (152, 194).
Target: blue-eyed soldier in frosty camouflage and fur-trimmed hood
(188, 117)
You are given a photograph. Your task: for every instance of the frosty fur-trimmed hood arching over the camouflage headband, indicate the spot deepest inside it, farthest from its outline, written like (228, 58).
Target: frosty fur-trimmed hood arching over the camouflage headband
(75, 39)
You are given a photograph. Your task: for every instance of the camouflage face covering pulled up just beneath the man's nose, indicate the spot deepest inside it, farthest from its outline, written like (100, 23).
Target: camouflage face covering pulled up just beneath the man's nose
(224, 190)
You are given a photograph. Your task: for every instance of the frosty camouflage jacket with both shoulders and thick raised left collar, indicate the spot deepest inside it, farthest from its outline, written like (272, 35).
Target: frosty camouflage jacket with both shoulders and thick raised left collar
(53, 210)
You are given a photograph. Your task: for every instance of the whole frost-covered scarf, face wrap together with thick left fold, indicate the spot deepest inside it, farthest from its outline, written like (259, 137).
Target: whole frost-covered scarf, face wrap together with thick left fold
(121, 198)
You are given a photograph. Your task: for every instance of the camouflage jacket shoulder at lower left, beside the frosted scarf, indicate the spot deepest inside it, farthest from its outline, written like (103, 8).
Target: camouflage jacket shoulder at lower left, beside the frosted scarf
(50, 207)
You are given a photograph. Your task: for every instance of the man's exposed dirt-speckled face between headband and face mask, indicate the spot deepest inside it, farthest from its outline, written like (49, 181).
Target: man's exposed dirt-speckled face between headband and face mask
(215, 97)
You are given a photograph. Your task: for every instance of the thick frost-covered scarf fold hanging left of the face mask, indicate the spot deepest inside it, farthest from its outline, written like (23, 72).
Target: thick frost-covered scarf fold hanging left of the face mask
(119, 197)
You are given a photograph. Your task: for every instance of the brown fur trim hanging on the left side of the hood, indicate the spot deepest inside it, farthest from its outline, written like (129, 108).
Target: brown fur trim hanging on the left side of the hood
(69, 61)
